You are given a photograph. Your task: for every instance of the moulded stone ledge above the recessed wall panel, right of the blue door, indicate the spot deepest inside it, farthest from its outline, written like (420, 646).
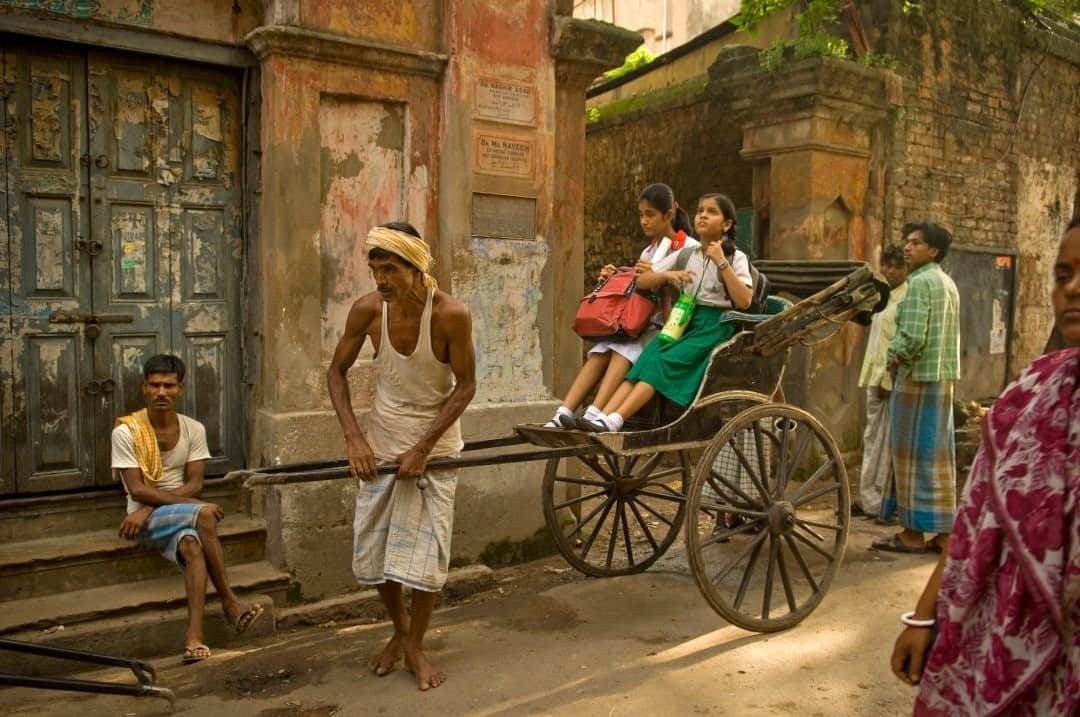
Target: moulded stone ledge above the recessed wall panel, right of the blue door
(331, 48)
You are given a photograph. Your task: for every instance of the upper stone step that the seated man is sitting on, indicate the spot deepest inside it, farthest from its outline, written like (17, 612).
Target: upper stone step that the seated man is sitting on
(93, 560)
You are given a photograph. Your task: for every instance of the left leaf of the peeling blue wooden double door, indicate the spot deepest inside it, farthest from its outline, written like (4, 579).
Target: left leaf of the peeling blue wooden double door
(51, 409)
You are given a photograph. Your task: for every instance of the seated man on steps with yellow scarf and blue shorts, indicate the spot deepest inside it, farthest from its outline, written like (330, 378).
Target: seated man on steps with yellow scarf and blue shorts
(160, 456)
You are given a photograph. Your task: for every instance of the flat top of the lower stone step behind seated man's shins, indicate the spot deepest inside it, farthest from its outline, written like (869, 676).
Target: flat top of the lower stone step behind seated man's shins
(125, 601)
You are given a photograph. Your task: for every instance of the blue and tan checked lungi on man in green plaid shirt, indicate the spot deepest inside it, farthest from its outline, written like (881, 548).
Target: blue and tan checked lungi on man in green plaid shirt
(924, 454)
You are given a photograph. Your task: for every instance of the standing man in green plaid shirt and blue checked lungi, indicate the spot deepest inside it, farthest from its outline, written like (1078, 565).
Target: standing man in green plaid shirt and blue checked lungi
(925, 358)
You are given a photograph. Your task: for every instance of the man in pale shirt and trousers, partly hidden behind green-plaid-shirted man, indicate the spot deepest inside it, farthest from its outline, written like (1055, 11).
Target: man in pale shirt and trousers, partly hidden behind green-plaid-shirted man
(877, 471)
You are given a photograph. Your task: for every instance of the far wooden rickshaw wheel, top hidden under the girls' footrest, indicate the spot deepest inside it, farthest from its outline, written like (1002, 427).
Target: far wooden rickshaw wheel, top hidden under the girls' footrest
(622, 517)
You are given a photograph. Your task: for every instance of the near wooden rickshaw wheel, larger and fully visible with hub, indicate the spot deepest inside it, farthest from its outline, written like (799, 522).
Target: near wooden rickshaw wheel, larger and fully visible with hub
(768, 518)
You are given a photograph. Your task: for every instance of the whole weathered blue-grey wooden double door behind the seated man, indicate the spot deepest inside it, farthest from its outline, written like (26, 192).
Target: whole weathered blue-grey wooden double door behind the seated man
(120, 238)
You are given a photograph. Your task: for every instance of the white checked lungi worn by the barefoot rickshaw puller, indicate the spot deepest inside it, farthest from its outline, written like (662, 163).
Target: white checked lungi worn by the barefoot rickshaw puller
(403, 534)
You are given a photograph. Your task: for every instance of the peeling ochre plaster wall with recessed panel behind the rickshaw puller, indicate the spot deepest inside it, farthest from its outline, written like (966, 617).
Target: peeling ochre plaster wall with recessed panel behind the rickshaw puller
(335, 163)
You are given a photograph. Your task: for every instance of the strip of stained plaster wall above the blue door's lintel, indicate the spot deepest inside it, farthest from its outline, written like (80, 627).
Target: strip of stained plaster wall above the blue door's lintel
(214, 21)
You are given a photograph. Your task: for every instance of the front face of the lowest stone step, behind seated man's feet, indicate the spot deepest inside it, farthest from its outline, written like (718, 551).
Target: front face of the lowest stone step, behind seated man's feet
(143, 635)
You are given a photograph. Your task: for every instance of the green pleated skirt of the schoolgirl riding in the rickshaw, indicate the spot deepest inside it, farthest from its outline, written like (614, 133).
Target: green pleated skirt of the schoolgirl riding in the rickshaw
(677, 370)
